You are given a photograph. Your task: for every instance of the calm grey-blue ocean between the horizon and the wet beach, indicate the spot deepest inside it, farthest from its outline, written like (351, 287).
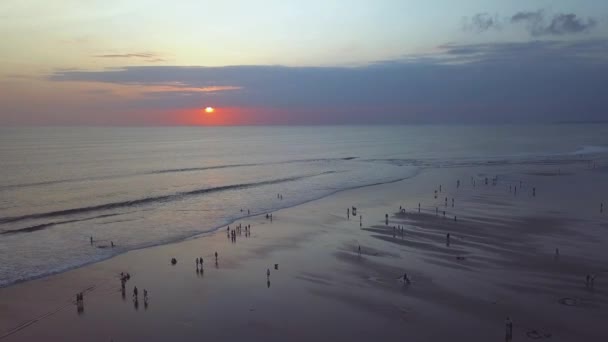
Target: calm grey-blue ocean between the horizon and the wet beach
(140, 187)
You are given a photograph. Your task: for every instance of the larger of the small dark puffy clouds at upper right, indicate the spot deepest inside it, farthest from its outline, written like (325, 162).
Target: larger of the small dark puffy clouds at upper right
(538, 24)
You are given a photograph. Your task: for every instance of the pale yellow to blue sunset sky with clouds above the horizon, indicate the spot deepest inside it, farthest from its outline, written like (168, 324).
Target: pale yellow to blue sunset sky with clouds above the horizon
(151, 63)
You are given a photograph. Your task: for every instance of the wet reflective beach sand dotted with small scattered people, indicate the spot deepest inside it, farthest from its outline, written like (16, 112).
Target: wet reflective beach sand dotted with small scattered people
(500, 263)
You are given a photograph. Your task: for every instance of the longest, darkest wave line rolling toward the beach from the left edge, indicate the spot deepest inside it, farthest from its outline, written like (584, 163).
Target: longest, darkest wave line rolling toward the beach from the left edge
(148, 200)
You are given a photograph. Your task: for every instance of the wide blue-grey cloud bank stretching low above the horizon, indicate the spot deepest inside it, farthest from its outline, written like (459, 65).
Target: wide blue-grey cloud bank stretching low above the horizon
(521, 81)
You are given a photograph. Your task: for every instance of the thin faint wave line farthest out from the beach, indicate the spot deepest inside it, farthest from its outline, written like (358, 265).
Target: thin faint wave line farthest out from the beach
(164, 171)
